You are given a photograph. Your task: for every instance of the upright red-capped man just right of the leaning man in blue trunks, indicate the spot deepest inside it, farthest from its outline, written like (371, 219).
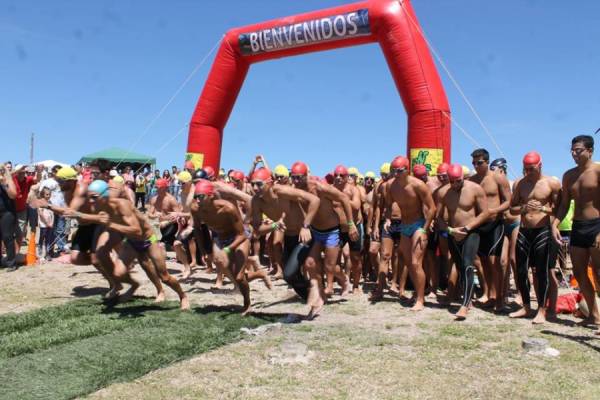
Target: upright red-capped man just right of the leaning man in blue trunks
(341, 183)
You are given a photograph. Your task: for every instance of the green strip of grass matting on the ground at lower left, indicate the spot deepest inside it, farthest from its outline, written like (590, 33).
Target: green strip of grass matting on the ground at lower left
(71, 350)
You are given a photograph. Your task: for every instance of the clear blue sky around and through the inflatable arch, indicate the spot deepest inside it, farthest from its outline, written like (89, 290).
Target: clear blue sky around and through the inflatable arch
(89, 75)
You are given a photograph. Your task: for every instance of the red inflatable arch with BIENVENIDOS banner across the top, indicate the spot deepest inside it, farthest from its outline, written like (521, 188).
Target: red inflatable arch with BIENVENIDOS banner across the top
(391, 23)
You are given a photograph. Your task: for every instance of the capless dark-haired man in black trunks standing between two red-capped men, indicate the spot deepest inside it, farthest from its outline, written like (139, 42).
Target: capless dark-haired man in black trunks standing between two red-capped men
(491, 234)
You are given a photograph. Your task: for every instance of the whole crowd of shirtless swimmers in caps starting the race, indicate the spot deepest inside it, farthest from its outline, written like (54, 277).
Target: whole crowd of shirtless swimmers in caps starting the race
(350, 230)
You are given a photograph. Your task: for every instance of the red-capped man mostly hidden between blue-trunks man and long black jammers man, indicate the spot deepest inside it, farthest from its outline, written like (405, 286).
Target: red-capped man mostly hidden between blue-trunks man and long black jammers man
(430, 262)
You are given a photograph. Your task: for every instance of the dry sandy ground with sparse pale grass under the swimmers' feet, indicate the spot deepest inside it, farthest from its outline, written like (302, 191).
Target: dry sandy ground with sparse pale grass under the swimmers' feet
(355, 349)
